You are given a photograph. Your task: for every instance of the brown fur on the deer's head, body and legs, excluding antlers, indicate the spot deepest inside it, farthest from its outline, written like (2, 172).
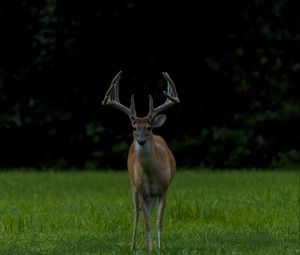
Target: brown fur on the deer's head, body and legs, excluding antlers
(151, 168)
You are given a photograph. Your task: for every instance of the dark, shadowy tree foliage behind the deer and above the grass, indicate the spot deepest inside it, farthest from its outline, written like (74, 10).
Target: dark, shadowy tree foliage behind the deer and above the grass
(235, 65)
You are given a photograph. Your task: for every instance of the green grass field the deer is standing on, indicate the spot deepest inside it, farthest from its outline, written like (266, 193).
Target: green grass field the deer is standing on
(208, 212)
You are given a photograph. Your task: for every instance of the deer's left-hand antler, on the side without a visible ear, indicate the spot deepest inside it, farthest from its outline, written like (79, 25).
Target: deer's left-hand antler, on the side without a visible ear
(112, 98)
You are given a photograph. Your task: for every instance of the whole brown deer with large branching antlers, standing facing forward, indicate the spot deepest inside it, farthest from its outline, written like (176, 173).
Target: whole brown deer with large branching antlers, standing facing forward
(151, 164)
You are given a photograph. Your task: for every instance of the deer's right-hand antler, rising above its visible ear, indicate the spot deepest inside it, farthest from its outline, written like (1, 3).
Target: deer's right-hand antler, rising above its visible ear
(172, 98)
